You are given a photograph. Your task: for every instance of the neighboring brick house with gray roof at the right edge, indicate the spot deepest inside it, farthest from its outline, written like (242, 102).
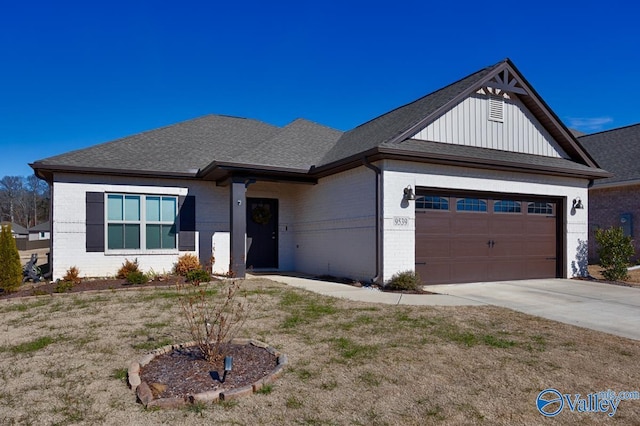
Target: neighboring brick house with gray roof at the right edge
(615, 201)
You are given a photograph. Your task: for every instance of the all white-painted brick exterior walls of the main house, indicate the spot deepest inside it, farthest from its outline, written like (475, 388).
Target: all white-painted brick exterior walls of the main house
(328, 228)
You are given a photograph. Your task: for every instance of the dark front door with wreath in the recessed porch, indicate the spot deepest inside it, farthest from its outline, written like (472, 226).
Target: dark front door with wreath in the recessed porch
(262, 233)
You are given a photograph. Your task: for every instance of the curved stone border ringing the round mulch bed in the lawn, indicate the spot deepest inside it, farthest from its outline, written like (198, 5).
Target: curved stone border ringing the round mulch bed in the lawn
(145, 396)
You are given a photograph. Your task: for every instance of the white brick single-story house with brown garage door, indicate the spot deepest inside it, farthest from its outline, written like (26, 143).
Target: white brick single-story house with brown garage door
(474, 182)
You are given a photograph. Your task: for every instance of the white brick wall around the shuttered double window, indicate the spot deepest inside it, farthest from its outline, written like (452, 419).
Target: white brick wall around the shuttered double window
(69, 221)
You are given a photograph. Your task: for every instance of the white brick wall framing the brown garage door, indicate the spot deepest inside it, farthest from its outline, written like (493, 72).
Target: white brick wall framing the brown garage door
(399, 241)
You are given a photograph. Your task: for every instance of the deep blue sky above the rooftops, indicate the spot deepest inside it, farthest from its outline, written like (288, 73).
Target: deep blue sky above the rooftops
(77, 73)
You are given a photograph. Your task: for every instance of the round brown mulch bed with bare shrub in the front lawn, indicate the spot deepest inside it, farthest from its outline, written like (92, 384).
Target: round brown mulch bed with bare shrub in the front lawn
(185, 372)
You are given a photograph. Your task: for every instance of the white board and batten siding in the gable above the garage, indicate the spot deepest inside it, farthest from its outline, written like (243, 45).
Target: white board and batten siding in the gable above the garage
(468, 124)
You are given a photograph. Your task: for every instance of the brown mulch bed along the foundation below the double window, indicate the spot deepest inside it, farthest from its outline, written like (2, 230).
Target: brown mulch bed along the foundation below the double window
(48, 288)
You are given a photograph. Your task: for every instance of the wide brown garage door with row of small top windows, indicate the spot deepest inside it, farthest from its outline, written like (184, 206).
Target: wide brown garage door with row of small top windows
(475, 238)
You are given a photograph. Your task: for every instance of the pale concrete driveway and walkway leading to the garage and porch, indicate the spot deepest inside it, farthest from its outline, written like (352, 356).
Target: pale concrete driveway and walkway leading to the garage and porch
(602, 307)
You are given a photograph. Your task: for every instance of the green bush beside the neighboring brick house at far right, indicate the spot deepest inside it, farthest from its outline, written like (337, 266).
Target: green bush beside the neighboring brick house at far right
(615, 251)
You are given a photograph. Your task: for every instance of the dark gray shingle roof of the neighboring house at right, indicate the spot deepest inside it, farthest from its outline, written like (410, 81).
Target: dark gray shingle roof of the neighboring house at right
(617, 151)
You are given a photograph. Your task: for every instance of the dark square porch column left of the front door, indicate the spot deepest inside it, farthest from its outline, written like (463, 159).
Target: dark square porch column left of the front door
(238, 227)
